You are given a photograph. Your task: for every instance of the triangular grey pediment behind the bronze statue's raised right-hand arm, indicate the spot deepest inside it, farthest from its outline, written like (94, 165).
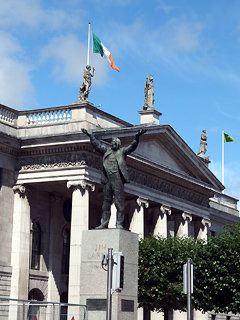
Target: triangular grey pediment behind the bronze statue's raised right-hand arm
(163, 146)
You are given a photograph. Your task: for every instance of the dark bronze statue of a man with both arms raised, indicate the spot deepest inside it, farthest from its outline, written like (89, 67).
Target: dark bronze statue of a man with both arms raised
(114, 175)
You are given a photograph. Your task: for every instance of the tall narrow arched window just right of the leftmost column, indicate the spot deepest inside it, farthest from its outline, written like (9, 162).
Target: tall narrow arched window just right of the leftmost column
(36, 246)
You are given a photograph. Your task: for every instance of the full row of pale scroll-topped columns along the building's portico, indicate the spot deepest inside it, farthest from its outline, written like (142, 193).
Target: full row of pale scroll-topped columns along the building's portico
(79, 222)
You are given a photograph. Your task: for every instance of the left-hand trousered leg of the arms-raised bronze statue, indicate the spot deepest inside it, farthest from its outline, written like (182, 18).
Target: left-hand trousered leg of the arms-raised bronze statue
(106, 207)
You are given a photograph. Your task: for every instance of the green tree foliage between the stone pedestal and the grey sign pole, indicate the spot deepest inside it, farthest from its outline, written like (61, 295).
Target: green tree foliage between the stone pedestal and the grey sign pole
(161, 263)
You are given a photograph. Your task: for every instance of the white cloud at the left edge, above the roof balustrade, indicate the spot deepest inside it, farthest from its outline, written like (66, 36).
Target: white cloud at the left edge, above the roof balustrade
(16, 89)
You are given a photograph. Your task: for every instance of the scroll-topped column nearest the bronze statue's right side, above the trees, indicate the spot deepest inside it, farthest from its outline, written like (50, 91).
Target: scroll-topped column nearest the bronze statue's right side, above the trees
(137, 221)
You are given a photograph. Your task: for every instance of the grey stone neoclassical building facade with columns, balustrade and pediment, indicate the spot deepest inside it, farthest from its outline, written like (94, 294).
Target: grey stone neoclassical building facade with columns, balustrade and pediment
(50, 191)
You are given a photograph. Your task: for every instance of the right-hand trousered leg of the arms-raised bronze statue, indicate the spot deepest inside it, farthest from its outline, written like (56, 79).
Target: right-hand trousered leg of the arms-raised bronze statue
(118, 191)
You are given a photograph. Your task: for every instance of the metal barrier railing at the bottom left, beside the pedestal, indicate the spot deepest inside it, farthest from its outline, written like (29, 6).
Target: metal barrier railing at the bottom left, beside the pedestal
(17, 309)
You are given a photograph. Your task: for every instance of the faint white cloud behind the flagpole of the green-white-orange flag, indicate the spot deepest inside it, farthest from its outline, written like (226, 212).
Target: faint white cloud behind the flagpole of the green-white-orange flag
(69, 57)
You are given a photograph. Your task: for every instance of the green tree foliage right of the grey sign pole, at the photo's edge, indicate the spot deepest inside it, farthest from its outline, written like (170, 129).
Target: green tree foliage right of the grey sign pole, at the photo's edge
(218, 273)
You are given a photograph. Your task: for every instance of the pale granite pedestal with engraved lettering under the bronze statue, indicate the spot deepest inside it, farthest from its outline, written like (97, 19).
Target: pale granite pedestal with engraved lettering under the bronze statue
(93, 291)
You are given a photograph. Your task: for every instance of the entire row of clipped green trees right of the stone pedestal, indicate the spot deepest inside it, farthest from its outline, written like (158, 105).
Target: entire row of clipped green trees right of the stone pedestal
(217, 271)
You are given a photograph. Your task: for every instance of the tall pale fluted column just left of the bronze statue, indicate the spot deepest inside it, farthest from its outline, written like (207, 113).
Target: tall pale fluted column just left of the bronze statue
(79, 222)
